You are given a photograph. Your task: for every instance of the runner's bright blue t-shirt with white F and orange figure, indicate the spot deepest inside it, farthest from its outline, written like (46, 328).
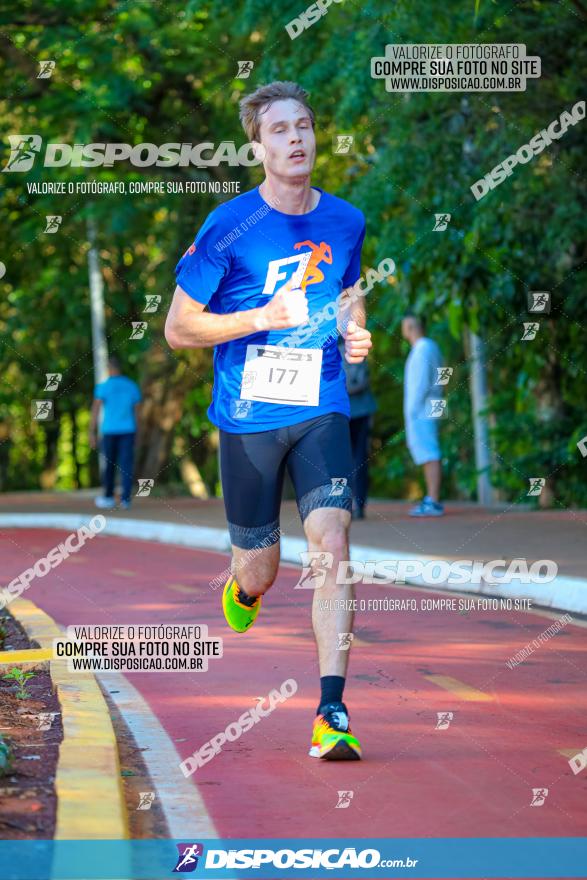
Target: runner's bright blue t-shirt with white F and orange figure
(245, 251)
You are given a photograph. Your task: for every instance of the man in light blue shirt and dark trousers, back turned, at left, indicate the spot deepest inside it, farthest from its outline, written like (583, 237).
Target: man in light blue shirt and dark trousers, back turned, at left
(119, 397)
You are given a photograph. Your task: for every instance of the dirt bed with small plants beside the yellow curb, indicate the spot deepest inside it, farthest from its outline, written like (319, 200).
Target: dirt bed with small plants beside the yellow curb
(32, 729)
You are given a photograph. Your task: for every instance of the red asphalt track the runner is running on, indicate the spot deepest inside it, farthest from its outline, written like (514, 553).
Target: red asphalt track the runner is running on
(474, 779)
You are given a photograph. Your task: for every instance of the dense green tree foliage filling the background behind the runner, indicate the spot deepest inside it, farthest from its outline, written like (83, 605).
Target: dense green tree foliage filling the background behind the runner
(166, 73)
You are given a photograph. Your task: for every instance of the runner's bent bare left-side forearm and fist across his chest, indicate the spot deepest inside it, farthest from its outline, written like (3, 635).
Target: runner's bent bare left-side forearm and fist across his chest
(189, 326)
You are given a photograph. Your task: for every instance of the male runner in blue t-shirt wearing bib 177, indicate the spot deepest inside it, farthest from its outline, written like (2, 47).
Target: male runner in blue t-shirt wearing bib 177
(270, 260)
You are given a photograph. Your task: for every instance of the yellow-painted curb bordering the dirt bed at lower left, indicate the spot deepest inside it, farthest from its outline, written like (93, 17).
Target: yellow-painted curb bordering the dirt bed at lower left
(88, 785)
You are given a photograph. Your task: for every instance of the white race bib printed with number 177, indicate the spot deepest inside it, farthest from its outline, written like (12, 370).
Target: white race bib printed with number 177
(289, 376)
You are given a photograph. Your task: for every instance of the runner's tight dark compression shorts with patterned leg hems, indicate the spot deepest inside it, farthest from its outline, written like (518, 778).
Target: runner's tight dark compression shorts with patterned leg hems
(317, 454)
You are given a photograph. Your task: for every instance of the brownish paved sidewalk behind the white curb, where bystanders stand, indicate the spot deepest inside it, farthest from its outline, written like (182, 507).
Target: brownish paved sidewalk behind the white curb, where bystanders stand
(466, 532)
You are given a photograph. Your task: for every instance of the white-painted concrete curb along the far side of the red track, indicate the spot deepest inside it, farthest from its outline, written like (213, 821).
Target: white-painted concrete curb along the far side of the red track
(562, 593)
